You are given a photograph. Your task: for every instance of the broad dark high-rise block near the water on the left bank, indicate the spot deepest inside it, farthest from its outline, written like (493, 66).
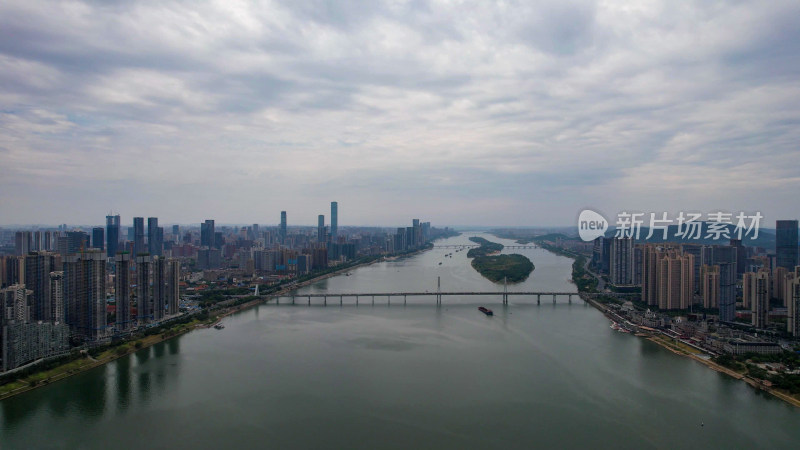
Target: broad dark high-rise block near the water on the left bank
(85, 293)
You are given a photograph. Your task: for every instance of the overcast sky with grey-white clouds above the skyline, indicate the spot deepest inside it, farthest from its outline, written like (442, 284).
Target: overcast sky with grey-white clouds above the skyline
(462, 113)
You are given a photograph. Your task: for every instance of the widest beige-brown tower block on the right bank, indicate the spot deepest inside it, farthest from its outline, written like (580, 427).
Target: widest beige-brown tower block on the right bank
(675, 280)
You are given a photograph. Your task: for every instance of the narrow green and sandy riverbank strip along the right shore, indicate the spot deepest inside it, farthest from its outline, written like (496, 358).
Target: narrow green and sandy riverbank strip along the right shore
(689, 352)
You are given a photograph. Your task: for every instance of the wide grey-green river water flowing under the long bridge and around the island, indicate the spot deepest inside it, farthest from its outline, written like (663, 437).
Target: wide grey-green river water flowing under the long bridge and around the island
(405, 376)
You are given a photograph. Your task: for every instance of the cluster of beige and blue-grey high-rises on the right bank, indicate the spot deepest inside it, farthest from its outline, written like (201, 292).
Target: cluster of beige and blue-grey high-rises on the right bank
(729, 279)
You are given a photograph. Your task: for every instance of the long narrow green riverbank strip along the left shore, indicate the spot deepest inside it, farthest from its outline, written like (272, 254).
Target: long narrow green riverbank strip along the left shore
(87, 362)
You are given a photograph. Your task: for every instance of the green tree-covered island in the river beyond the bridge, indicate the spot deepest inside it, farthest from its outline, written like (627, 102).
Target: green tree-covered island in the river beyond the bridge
(514, 268)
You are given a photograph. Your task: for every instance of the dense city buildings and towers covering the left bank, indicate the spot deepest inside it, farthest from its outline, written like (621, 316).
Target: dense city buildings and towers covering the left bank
(62, 287)
